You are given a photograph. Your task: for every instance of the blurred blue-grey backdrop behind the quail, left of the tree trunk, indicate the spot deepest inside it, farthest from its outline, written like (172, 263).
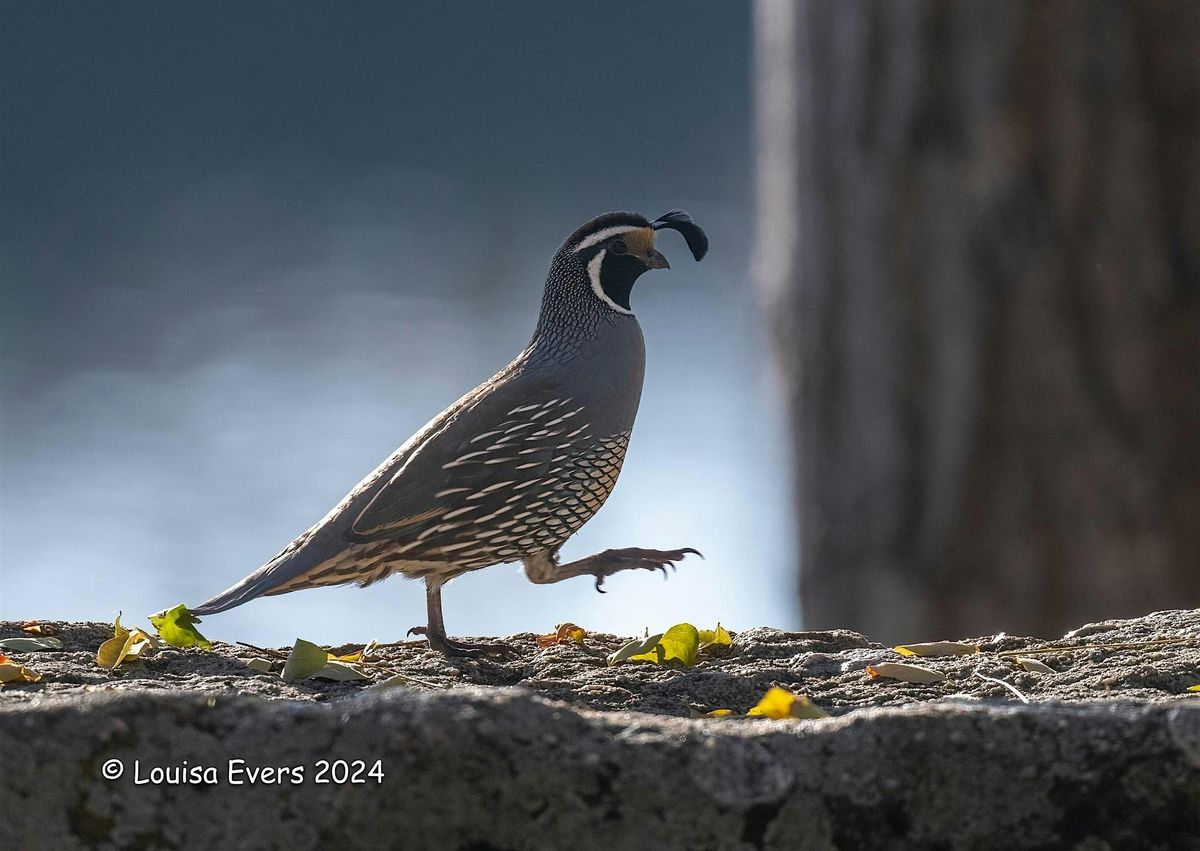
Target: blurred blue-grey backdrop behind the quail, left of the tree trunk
(249, 249)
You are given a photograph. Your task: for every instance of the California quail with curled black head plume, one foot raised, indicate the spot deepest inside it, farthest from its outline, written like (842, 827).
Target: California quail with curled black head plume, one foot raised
(517, 466)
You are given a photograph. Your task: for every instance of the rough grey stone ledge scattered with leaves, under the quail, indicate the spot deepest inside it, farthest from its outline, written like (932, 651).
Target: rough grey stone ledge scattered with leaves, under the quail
(1108, 759)
